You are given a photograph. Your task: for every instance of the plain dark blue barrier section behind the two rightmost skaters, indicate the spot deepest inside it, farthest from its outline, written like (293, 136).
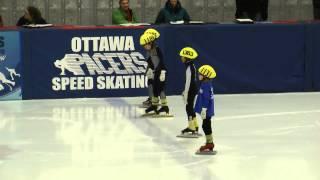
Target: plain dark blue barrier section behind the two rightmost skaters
(248, 58)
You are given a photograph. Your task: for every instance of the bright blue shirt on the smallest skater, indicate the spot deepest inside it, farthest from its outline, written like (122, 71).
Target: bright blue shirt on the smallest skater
(205, 99)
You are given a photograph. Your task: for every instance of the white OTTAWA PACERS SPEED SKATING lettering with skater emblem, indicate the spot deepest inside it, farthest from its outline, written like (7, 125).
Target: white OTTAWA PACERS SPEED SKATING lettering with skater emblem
(109, 62)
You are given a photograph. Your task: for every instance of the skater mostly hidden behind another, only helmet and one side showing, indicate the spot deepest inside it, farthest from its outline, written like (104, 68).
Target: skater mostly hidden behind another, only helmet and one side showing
(149, 71)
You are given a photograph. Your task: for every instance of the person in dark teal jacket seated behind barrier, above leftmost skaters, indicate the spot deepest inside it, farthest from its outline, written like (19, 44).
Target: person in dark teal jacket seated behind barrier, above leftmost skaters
(173, 11)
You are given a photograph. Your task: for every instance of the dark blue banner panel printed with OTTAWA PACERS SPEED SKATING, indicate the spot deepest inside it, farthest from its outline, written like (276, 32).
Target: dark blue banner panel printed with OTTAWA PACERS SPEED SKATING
(84, 63)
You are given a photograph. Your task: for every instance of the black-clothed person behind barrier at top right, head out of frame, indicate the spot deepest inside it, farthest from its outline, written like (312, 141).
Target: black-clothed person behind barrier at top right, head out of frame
(256, 10)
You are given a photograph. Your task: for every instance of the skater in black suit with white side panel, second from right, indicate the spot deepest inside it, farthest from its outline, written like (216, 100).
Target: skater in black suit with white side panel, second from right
(188, 56)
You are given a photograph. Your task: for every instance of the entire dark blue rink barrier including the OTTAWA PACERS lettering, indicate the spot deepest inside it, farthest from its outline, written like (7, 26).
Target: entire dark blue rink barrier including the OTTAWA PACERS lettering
(109, 62)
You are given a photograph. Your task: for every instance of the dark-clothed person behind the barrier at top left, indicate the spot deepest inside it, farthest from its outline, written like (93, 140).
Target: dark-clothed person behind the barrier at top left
(32, 15)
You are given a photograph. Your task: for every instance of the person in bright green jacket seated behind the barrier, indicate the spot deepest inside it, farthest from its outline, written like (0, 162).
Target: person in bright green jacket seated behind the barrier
(123, 14)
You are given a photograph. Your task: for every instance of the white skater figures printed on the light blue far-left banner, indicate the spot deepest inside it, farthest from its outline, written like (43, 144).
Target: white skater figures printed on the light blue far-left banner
(7, 74)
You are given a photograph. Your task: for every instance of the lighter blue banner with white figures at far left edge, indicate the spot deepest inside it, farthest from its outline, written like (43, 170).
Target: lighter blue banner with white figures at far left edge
(10, 66)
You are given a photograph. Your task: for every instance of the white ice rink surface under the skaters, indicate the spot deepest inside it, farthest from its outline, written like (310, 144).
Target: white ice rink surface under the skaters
(257, 136)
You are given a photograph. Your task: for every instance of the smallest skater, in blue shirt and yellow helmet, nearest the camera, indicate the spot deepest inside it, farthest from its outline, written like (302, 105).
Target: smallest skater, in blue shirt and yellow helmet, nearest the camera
(205, 106)
